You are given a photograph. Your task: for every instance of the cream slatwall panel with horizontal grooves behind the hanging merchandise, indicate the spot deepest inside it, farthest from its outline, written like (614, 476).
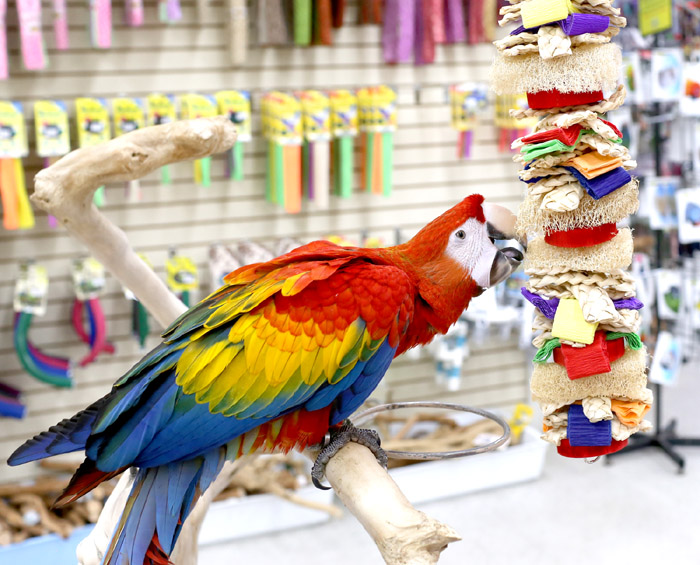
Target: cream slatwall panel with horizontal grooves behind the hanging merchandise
(192, 56)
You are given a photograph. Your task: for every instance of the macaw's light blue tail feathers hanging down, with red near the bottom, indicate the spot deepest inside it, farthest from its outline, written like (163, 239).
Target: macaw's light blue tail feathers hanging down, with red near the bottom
(160, 501)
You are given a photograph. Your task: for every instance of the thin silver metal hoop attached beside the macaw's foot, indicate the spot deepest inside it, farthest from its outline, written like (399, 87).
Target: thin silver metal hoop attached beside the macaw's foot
(431, 456)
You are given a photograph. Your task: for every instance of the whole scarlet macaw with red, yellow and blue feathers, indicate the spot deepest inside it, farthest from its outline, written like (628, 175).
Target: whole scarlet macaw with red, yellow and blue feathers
(274, 360)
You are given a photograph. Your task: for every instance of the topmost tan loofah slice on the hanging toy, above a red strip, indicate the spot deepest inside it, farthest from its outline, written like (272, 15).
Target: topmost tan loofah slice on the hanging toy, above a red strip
(588, 68)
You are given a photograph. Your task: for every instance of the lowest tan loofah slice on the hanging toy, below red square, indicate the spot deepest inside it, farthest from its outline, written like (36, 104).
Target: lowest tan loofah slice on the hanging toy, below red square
(627, 379)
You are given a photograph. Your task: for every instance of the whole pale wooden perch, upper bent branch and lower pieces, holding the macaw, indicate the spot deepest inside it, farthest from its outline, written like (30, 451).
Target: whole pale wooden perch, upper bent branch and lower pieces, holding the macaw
(65, 190)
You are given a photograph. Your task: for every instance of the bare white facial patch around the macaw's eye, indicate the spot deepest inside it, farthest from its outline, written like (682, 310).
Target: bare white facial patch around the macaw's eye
(474, 252)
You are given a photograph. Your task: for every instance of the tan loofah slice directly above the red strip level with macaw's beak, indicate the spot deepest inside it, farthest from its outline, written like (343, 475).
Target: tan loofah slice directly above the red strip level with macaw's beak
(533, 220)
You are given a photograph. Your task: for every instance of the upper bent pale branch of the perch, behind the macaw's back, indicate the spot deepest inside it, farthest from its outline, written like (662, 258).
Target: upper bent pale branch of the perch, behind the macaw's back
(66, 188)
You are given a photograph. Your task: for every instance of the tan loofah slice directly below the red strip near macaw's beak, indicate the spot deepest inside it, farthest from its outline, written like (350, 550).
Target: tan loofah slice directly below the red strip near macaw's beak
(604, 258)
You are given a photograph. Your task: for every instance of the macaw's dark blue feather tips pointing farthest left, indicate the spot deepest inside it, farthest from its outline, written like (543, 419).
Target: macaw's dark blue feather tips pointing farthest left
(65, 437)
